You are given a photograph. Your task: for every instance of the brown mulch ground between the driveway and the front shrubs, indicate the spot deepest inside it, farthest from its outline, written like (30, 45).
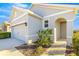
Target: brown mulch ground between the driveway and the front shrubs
(28, 50)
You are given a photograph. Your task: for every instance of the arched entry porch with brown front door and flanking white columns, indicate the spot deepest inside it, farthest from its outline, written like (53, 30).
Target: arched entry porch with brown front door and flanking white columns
(63, 30)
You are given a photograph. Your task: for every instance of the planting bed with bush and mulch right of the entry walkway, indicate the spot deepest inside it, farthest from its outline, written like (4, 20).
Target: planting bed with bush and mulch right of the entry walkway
(74, 51)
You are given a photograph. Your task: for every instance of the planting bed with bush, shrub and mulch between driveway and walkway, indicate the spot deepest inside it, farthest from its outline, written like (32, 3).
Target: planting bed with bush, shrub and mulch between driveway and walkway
(38, 47)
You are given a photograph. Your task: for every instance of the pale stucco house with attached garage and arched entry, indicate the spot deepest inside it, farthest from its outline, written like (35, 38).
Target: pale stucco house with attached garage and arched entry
(25, 23)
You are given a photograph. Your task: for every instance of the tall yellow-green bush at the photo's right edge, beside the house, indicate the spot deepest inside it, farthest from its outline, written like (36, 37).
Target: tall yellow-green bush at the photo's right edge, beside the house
(76, 42)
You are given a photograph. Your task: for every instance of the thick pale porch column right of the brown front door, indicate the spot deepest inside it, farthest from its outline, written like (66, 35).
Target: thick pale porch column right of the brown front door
(69, 32)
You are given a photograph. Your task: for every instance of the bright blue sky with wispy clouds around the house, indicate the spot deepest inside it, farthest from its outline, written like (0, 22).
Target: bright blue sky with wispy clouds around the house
(5, 12)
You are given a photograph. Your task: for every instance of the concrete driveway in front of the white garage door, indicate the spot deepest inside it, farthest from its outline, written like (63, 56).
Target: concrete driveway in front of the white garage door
(7, 47)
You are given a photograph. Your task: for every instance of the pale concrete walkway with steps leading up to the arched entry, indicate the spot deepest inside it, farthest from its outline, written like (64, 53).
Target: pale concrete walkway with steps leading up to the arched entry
(57, 49)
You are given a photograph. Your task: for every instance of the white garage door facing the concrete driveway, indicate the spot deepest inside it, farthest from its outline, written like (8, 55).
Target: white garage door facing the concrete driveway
(20, 32)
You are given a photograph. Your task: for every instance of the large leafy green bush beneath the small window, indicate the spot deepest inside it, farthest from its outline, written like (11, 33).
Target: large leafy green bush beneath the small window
(44, 38)
